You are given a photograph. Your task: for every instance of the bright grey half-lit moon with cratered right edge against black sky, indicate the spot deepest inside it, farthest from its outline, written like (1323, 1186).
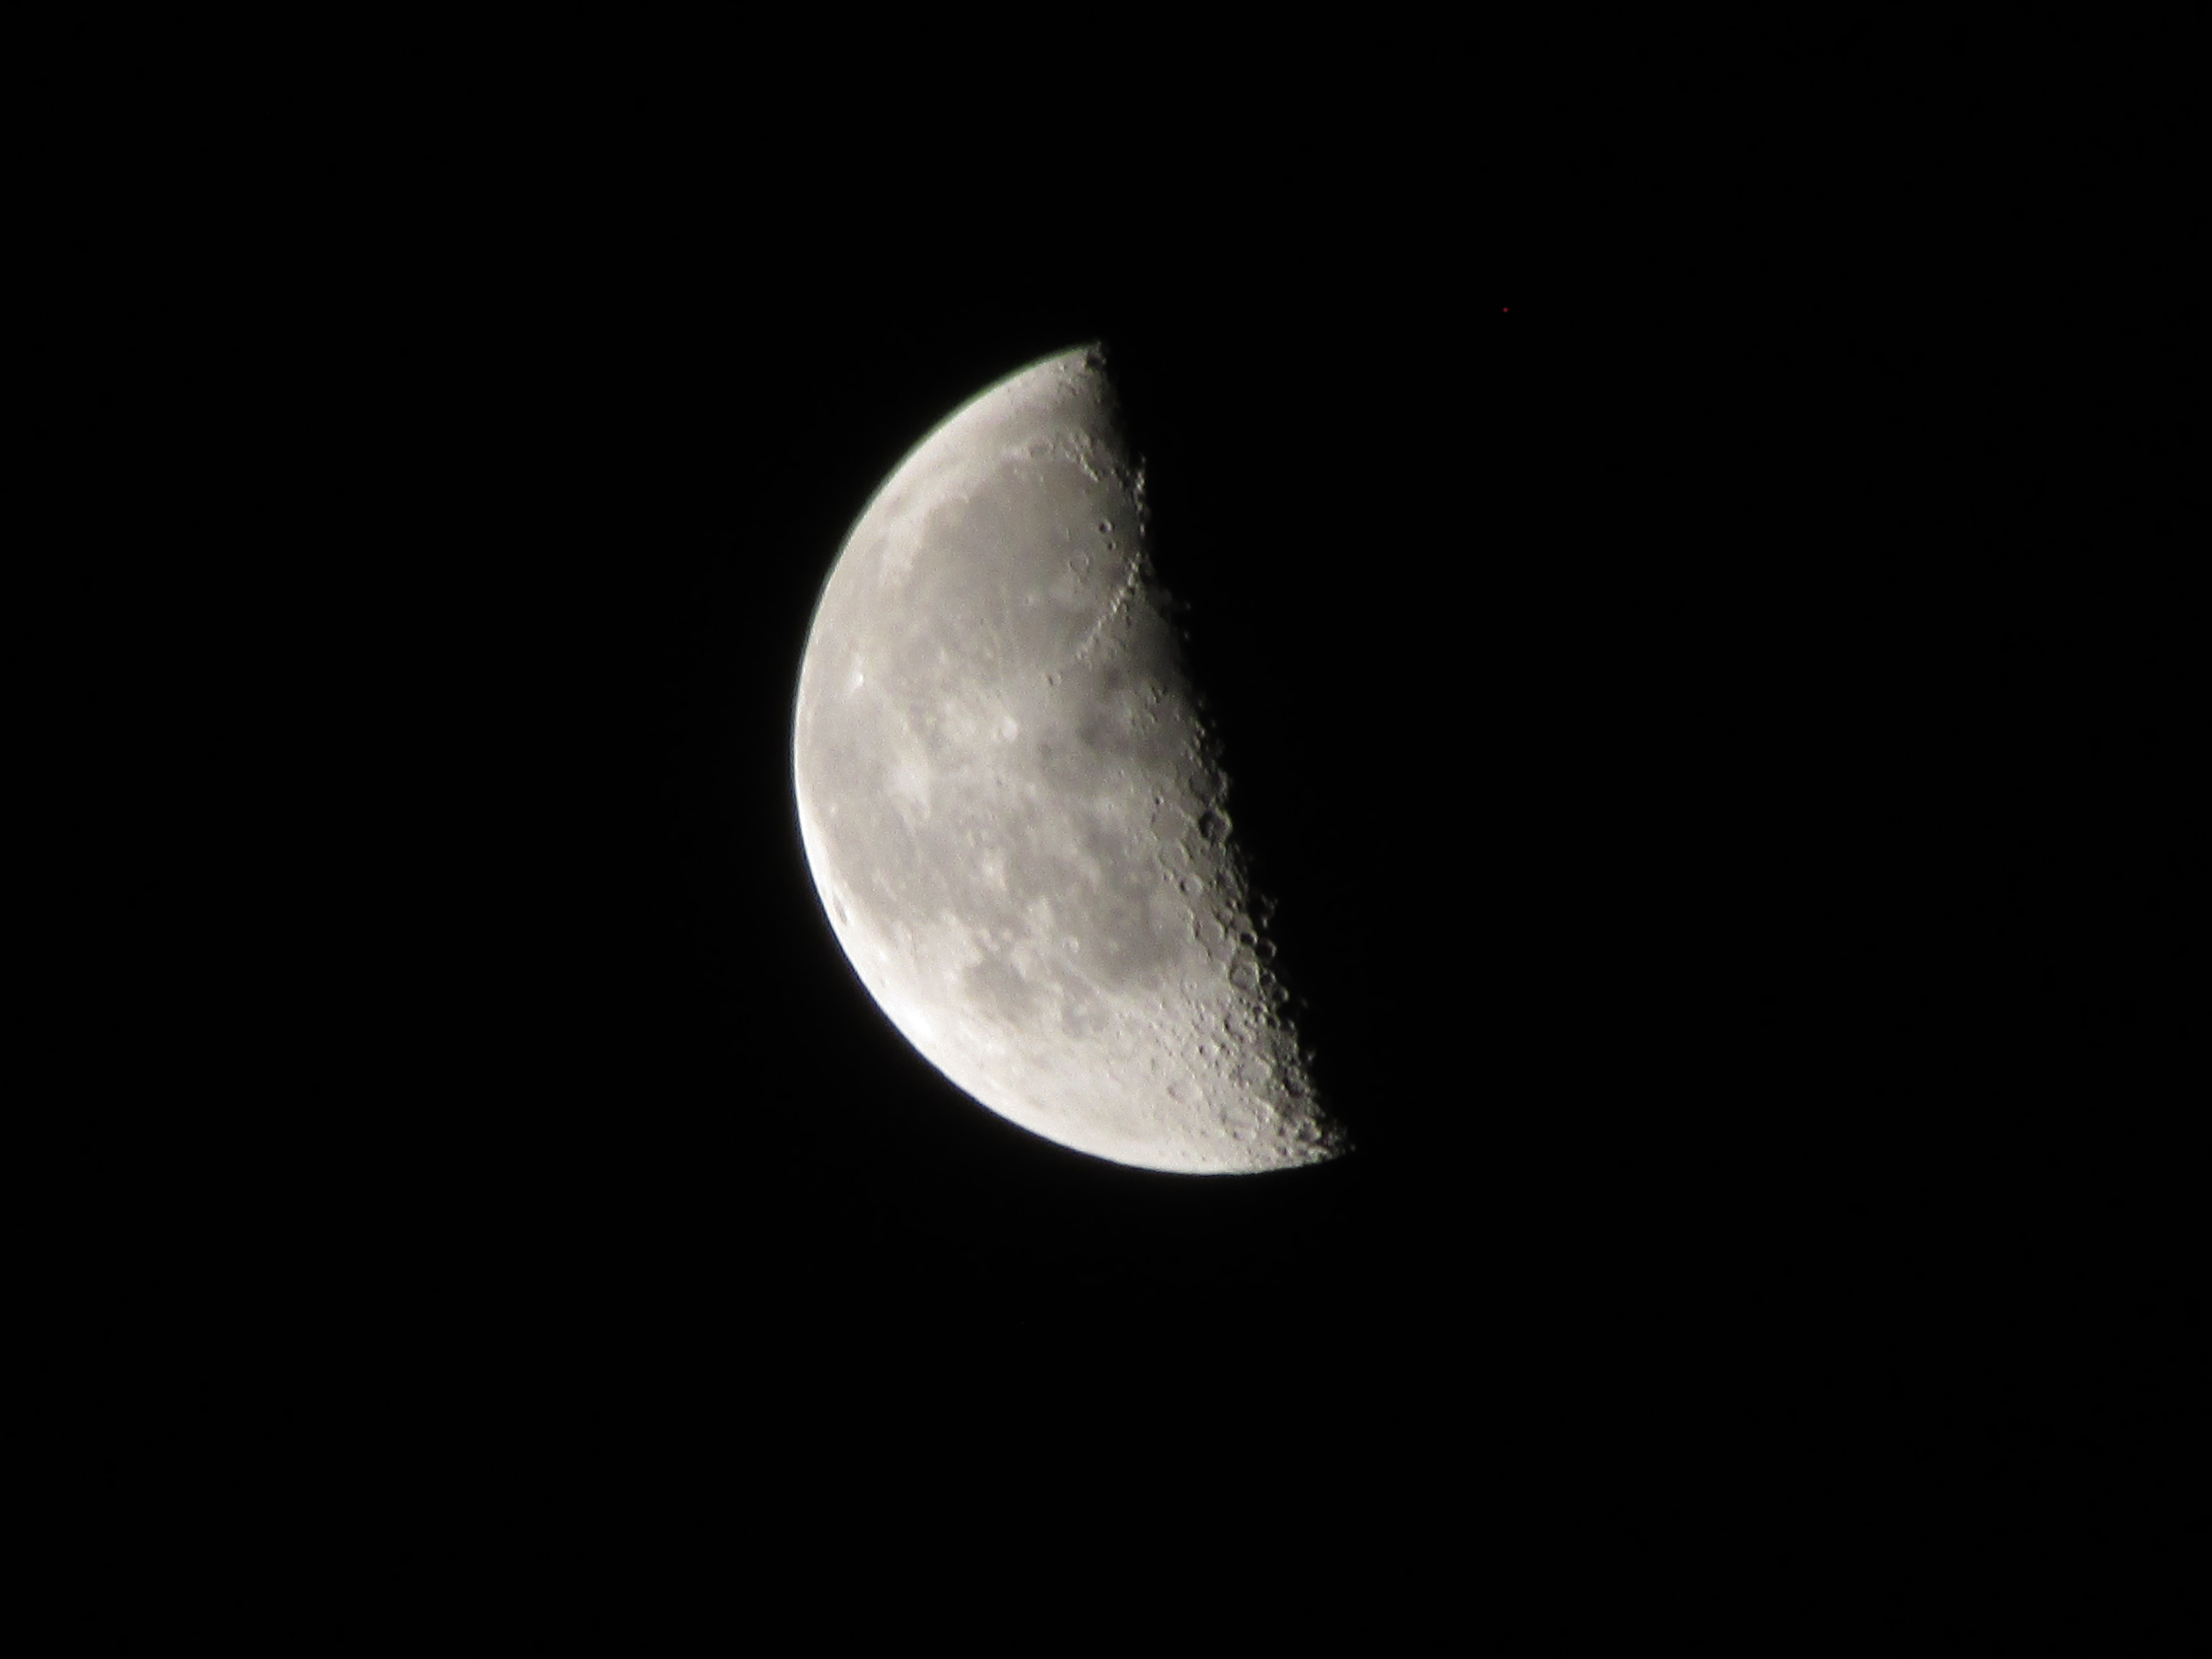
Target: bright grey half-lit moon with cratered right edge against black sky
(1016, 815)
